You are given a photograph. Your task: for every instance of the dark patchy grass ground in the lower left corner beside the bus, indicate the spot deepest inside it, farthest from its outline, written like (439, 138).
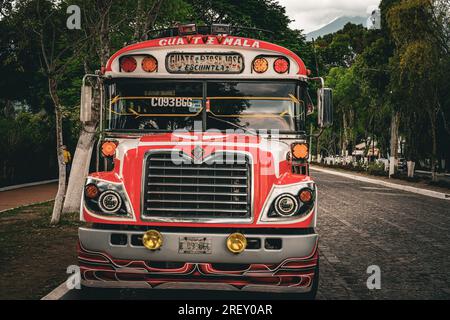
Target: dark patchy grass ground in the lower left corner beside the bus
(34, 255)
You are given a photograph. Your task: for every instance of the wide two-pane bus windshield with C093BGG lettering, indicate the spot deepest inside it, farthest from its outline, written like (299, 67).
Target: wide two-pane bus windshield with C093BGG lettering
(148, 105)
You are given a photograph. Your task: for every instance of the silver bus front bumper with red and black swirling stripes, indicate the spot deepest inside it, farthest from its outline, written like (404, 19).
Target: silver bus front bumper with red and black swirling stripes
(290, 268)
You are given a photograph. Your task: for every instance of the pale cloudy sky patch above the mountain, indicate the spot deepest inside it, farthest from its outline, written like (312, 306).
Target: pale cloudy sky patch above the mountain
(311, 15)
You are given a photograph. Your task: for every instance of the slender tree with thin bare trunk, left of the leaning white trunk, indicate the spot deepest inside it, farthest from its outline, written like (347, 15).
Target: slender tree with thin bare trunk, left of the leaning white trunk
(57, 49)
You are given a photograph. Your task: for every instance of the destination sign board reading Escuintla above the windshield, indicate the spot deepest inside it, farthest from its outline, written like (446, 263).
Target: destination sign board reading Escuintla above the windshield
(204, 63)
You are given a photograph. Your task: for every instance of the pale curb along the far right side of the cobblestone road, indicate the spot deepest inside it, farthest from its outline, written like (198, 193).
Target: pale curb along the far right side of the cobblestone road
(424, 192)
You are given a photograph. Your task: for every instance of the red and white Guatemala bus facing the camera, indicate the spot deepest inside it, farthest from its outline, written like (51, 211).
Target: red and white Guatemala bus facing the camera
(203, 179)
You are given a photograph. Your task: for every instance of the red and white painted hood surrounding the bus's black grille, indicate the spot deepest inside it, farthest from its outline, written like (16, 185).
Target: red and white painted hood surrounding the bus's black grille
(268, 158)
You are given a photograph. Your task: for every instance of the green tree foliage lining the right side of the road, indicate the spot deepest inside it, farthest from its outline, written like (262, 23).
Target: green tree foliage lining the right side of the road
(401, 68)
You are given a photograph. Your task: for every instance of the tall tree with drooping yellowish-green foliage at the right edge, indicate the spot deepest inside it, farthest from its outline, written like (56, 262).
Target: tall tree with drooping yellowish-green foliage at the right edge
(421, 58)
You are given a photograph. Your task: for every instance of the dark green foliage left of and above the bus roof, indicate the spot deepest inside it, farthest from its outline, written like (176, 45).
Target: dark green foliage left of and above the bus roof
(30, 127)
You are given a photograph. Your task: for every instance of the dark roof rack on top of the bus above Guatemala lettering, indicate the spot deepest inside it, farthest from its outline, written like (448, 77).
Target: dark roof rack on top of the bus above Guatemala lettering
(209, 29)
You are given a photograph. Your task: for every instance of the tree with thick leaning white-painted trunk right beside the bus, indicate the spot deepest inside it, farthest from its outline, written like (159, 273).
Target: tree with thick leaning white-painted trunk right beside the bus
(107, 27)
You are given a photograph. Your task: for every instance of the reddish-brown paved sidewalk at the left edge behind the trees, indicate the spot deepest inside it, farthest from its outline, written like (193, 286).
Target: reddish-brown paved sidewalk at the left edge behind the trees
(24, 196)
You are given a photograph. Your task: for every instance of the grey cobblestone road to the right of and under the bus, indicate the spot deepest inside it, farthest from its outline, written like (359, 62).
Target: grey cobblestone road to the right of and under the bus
(361, 224)
